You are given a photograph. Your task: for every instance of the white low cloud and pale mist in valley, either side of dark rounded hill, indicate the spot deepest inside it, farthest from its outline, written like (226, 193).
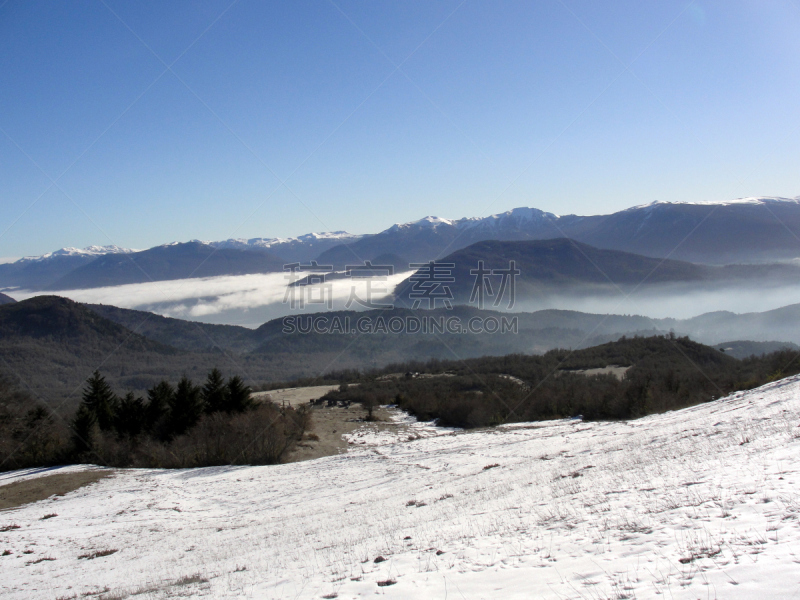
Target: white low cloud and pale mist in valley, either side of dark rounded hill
(251, 300)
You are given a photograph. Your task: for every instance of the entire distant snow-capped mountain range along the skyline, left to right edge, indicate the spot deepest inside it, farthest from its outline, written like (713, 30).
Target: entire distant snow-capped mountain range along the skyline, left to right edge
(750, 230)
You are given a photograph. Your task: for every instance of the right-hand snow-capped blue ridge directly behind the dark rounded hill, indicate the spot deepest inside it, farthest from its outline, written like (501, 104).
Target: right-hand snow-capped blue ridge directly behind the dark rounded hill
(749, 230)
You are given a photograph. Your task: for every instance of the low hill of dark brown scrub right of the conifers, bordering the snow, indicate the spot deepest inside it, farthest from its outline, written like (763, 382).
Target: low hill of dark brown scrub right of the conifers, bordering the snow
(665, 373)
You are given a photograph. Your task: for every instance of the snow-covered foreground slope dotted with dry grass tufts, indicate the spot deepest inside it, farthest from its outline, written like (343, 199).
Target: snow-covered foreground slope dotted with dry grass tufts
(698, 503)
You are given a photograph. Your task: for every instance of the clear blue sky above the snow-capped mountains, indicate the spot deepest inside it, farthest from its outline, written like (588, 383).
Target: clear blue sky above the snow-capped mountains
(139, 123)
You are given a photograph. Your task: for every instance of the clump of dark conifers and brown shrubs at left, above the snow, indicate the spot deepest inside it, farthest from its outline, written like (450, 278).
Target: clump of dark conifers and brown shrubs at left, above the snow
(173, 426)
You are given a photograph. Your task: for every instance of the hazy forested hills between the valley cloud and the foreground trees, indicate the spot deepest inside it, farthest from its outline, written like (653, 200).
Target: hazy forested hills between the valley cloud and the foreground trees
(53, 344)
